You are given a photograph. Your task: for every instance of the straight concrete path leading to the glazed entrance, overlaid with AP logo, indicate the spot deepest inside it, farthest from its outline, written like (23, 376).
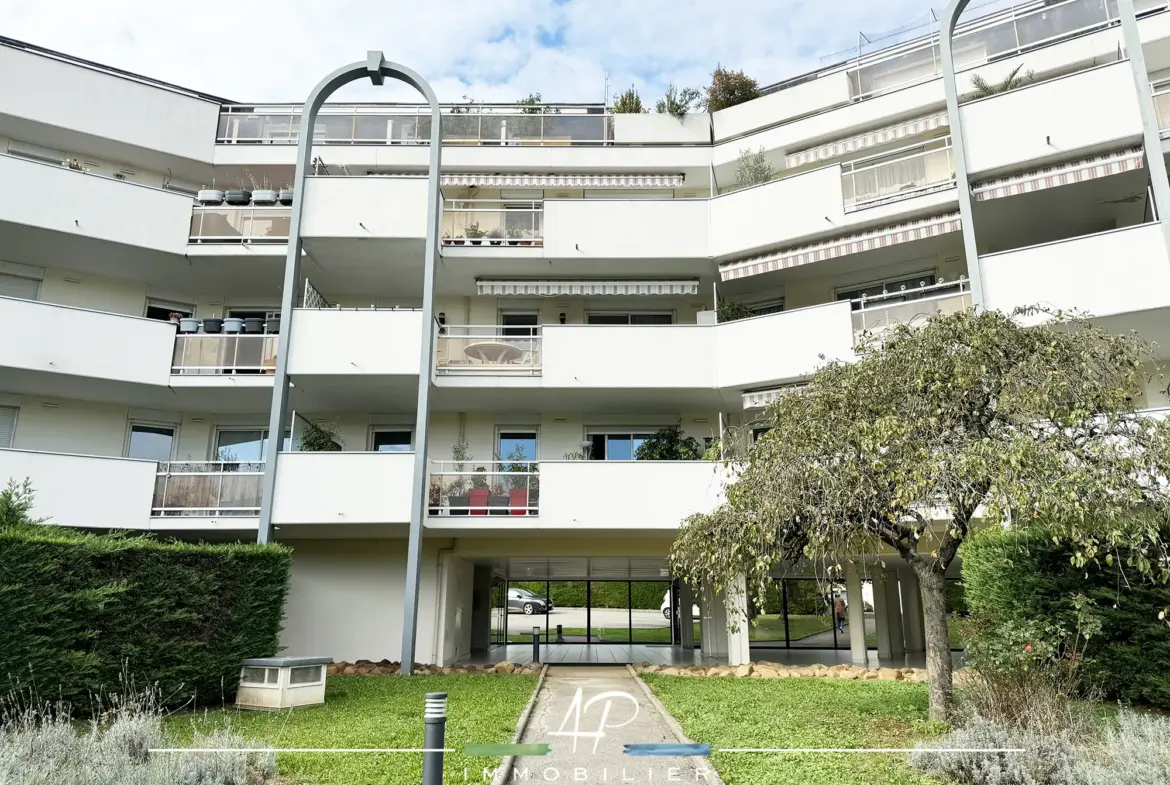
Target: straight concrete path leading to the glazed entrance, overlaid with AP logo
(629, 718)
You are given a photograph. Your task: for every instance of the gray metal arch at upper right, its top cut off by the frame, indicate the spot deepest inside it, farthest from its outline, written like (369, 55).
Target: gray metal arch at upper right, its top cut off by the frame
(1152, 141)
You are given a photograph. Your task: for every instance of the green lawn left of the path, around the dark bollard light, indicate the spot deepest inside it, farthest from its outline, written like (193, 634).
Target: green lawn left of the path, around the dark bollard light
(378, 712)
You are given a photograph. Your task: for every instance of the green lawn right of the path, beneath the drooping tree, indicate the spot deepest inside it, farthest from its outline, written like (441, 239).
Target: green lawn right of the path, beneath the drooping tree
(801, 713)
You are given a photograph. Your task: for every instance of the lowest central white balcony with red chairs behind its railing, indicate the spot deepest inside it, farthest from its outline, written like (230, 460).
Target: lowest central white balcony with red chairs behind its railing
(573, 495)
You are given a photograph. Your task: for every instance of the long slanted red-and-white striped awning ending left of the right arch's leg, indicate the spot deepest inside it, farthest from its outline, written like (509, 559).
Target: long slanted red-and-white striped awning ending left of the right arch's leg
(854, 244)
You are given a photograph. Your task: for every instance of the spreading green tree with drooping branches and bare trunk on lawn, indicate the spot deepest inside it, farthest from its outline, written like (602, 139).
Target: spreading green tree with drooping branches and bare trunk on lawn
(972, 418)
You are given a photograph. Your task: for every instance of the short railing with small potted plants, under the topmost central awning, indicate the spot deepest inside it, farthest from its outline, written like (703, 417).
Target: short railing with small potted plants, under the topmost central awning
(493, 223)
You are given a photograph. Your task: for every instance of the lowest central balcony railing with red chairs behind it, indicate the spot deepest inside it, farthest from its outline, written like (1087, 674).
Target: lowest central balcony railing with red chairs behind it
(492, 488)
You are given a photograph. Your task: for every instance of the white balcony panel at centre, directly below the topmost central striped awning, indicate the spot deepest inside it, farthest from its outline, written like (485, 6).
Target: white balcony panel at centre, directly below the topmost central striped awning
(636, 229)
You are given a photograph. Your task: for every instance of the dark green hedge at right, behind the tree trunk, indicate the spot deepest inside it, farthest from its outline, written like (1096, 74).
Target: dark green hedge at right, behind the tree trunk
(1018, 582)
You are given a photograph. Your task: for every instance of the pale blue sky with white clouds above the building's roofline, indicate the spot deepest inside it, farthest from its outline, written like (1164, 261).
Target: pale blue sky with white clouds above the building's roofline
(492, 51)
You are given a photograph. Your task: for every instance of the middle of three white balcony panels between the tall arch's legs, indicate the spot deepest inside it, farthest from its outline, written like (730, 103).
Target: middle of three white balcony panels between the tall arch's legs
(350, 343)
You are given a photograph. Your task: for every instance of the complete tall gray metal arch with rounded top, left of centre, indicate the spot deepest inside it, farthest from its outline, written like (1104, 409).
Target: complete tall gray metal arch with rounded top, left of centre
(377, 70)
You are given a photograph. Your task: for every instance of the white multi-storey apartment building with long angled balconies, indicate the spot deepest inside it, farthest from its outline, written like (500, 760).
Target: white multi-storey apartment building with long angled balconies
(581, 258)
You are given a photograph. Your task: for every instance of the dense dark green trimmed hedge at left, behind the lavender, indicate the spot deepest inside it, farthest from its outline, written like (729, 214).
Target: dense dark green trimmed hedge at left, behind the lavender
(81, 611)
